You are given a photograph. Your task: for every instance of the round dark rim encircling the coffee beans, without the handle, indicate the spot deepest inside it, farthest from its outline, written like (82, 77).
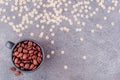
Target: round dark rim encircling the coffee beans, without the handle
(42, 52)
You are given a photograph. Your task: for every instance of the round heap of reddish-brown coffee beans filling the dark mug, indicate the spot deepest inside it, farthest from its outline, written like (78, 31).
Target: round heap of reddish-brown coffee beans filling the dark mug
(27, 55)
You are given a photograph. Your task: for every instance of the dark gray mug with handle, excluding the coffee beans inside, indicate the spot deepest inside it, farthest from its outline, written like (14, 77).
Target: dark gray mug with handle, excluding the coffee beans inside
(12, 46)
